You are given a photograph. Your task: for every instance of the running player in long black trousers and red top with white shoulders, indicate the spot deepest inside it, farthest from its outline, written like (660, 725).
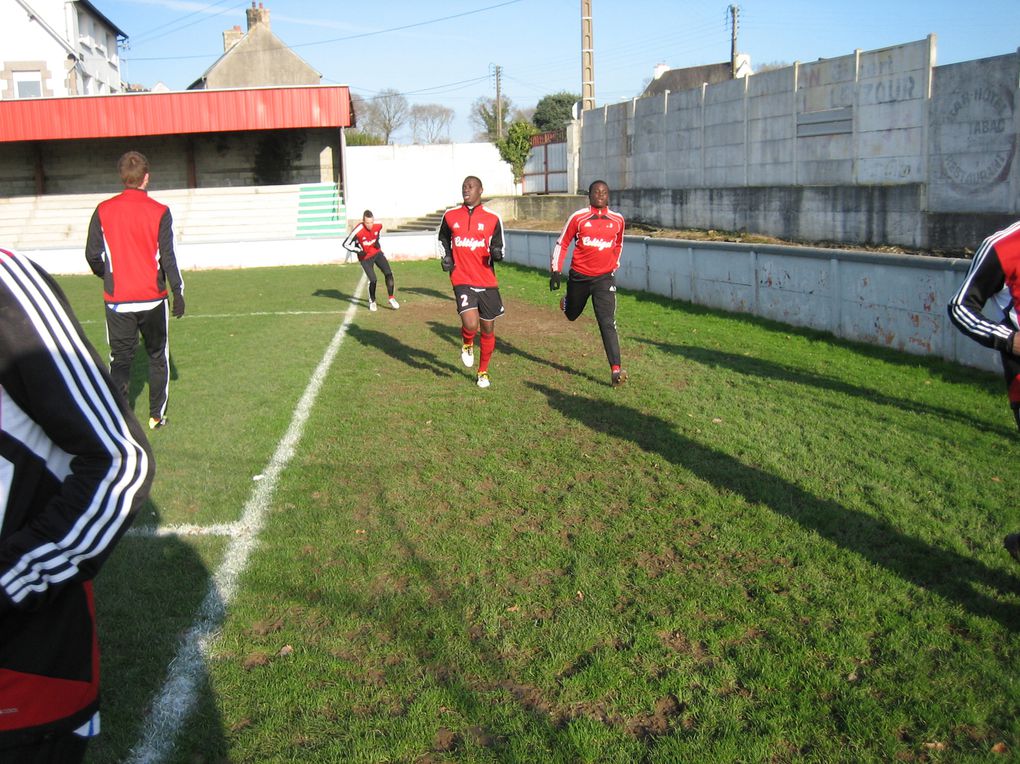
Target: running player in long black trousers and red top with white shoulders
(597, 235)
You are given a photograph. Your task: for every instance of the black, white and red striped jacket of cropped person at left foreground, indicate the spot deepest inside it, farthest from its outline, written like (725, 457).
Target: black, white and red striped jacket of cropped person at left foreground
(75, 470)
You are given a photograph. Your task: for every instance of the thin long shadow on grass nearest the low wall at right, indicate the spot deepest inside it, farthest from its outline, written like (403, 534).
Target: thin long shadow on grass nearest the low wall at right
(759, 369)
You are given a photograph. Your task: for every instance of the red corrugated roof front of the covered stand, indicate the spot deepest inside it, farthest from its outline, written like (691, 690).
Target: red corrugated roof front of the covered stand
(133, 115)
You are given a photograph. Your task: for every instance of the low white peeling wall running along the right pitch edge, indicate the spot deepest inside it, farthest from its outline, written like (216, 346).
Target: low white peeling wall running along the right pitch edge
(893, 301)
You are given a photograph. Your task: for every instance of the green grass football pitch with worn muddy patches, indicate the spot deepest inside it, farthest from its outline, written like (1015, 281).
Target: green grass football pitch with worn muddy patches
(770, 545)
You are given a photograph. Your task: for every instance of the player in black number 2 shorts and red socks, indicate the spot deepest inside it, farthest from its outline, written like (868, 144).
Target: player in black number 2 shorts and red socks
(472, 238)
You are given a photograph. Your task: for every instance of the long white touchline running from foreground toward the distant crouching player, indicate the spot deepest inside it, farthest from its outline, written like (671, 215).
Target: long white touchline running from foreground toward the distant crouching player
(179, 695)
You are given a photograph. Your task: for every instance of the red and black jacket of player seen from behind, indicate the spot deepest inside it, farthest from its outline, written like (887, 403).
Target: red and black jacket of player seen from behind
(136, 235)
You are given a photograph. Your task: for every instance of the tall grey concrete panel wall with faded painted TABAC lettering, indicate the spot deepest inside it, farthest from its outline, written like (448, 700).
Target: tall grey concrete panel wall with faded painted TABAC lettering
(811, 151)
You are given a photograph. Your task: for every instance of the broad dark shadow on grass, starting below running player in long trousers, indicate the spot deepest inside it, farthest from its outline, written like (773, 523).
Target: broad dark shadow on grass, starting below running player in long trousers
(946, 574)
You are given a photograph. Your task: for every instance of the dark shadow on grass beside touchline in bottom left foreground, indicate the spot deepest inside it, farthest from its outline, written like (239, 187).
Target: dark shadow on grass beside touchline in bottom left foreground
(147, 596)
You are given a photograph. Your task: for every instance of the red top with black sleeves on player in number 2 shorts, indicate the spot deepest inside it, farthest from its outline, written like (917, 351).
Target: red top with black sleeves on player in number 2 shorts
(473, 236)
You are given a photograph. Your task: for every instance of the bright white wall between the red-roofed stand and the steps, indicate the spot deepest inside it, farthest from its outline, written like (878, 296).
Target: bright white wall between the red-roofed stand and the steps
(399, 183)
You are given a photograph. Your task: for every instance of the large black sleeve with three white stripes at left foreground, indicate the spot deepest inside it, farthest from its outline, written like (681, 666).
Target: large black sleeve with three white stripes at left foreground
(76, 467)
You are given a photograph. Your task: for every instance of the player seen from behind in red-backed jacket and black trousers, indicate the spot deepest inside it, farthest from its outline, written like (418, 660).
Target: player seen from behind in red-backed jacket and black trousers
(131, 248)
